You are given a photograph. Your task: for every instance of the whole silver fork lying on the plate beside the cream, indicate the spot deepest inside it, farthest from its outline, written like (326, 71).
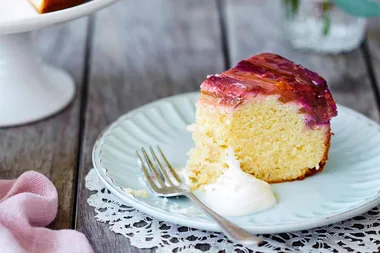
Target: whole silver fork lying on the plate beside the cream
(166, 183)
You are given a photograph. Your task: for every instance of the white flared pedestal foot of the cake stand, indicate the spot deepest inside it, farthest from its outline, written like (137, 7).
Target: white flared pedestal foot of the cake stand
(30, 89)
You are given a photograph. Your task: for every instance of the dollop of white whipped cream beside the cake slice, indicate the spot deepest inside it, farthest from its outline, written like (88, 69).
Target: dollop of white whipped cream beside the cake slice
(237, 193)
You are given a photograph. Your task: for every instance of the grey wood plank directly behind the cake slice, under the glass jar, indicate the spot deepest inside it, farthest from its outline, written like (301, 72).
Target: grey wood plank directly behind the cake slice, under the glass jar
(255, 26)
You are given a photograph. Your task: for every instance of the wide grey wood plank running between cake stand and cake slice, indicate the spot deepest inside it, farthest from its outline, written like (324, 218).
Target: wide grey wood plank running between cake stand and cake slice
(142, 51)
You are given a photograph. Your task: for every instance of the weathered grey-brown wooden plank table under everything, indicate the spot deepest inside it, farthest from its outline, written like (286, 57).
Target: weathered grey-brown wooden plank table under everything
(135, 52)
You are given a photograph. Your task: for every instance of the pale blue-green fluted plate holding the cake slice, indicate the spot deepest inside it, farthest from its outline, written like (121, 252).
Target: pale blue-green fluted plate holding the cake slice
(348, 186)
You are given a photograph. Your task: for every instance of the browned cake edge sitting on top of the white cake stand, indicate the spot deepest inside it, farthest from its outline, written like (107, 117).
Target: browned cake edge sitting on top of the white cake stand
(44, 6)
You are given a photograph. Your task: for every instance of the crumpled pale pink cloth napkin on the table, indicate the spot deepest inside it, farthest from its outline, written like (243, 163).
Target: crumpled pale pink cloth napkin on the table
(27, 205)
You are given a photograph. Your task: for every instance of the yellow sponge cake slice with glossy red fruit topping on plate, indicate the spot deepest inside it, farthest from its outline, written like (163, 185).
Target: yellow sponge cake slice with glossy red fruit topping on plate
(275, 116)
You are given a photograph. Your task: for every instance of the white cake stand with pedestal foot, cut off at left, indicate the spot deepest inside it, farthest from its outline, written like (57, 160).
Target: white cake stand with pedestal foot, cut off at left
(29, 89)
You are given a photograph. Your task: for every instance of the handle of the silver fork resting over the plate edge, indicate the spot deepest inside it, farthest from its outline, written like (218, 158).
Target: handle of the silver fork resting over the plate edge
(232, 231)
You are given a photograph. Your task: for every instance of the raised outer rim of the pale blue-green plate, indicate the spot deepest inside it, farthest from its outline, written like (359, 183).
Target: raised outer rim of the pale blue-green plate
(209, 225)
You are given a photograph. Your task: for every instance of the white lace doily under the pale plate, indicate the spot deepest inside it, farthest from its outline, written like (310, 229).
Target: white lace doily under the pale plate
(361, 234)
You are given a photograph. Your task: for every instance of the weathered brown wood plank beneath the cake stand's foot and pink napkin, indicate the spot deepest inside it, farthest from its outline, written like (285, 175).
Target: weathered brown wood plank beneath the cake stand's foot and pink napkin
(51, 146)
